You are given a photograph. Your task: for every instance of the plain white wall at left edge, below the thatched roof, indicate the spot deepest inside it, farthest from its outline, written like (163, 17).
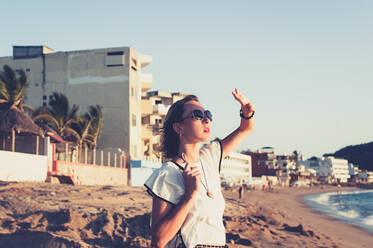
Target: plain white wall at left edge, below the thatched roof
(15, 166)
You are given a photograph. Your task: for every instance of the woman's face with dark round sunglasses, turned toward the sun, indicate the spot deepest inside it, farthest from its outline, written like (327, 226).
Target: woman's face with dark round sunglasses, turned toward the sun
(192, 128)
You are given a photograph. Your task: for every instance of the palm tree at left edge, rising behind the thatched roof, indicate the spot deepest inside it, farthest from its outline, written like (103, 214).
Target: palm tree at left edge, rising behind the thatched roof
(13, 88)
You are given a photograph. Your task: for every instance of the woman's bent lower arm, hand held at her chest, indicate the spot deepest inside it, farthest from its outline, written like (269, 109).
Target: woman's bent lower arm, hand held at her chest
(167, 218)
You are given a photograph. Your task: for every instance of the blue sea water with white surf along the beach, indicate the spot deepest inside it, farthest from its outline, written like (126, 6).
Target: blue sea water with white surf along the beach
(352, 207)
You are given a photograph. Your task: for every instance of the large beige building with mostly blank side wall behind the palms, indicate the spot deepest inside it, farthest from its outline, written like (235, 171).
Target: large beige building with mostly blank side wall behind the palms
(110, 77)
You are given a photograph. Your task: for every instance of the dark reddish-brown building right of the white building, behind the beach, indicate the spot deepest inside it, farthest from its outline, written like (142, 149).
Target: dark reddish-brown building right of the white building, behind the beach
(263, 162)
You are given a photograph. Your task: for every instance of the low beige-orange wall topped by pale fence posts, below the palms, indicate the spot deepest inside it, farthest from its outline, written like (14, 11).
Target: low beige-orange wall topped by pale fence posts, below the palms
(86, 174)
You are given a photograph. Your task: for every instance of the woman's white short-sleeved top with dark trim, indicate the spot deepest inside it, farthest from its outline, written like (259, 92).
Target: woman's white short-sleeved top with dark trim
(204, 223)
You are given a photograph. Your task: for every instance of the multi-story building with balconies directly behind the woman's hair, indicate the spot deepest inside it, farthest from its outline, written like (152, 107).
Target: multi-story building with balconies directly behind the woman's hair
(154, 107)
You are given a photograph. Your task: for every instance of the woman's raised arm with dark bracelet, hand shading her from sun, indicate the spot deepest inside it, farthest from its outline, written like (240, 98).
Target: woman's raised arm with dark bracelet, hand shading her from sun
(230, 142)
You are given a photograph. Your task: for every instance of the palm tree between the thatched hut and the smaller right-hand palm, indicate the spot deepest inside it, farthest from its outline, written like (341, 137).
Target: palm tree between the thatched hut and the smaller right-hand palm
(58, 116)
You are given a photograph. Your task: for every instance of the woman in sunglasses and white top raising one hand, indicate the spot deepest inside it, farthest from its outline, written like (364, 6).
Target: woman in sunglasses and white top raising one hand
(188, 204)
